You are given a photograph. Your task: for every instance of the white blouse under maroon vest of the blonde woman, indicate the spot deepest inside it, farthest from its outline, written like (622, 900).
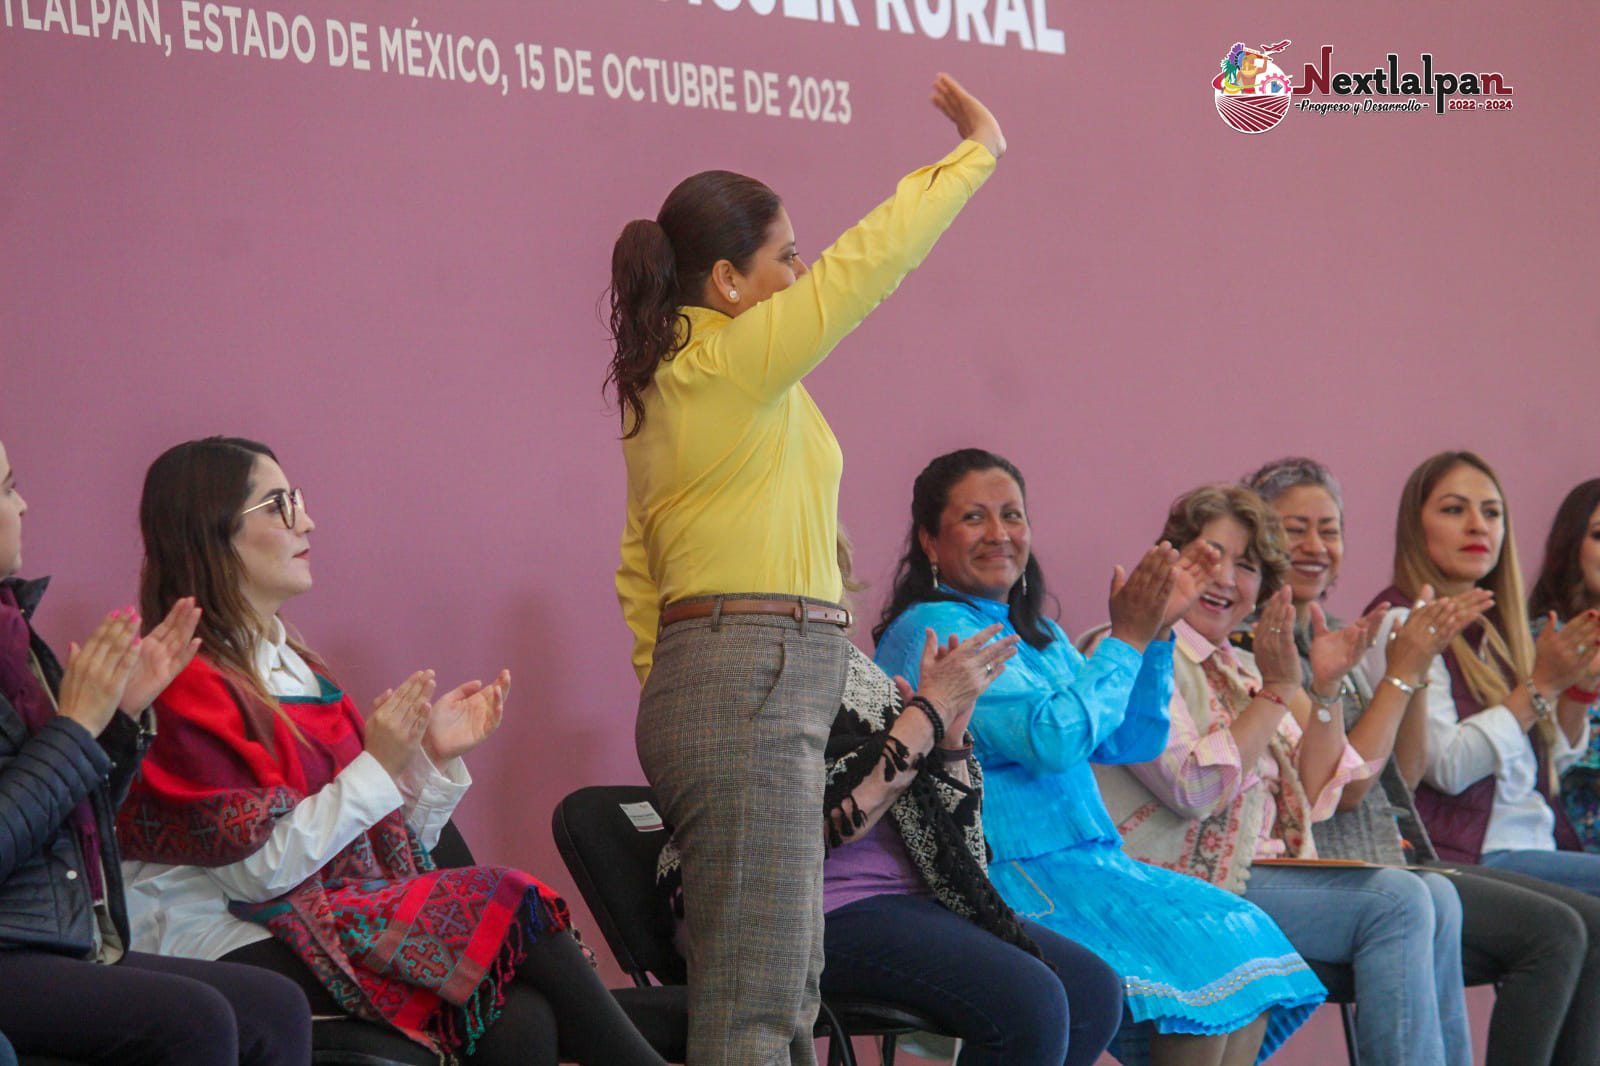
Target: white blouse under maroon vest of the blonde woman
(1465, 751)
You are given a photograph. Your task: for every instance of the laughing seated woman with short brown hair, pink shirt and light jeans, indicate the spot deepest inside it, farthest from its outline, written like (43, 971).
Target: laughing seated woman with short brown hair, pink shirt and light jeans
(1250, 767)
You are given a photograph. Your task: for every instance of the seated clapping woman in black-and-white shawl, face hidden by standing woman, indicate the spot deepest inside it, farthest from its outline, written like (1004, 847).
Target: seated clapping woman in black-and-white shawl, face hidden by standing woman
(911, 915)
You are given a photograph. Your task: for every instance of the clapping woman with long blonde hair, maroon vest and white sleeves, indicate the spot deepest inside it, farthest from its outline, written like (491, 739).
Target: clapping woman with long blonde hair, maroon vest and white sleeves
(1502, 723)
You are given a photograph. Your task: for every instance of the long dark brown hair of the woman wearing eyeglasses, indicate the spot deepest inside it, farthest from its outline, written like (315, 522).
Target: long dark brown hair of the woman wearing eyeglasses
(188, 516)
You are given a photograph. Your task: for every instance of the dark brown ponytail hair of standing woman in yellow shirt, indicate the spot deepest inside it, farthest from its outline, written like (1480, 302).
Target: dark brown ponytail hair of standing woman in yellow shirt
(662, 265)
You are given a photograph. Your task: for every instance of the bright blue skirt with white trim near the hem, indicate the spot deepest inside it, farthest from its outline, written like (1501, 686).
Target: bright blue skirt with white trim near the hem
(1193, 958)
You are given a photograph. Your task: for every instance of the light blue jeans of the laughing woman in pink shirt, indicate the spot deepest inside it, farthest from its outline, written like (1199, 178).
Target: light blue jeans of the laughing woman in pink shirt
(1402, 936)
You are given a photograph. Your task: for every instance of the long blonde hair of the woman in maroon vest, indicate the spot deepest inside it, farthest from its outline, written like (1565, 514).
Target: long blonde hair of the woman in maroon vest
(1506, 655)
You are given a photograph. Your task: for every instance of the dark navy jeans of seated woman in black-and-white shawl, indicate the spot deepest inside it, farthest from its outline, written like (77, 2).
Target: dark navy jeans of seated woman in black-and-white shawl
(1007, 1006)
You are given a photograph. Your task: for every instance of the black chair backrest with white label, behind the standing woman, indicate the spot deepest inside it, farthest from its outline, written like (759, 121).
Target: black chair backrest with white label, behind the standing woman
(610, 846)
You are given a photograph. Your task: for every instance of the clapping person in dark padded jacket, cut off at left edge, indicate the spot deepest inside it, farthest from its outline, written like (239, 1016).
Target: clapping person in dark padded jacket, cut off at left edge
(71, 740)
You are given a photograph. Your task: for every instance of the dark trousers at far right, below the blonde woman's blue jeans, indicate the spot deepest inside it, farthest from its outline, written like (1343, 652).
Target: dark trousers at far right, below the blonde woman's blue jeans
(1540, 944)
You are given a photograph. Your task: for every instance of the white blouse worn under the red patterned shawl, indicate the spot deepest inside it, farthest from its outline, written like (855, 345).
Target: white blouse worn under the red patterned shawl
(183, 910)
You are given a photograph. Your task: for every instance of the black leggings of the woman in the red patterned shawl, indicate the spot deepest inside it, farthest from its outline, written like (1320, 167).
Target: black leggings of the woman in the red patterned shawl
(556, 1009)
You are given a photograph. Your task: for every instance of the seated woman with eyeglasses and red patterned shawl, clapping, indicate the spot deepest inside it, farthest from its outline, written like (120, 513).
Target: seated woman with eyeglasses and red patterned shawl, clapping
(278, 827)
